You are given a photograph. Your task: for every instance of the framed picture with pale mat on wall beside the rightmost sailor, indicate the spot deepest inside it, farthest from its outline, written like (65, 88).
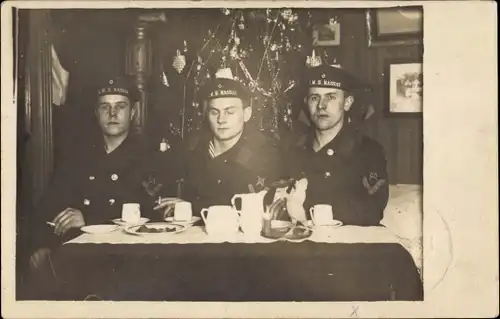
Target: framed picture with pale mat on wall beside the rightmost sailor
(404, 88)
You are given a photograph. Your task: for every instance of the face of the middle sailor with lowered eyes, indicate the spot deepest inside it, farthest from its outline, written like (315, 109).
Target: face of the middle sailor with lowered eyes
(227, 116)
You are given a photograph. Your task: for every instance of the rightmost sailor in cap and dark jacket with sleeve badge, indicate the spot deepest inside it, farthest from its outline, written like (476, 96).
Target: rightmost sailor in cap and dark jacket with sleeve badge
(344, 168)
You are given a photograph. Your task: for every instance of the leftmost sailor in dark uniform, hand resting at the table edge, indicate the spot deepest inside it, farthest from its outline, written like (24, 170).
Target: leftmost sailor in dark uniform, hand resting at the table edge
(92, 184)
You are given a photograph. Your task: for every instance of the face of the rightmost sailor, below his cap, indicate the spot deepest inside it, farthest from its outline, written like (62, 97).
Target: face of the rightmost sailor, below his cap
(327, 106)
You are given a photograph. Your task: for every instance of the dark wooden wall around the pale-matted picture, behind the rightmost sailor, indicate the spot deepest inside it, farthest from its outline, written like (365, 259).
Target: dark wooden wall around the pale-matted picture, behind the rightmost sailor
(401, 137)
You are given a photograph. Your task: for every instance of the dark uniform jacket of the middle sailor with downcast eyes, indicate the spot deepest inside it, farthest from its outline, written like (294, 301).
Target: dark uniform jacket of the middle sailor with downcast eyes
(253, 160)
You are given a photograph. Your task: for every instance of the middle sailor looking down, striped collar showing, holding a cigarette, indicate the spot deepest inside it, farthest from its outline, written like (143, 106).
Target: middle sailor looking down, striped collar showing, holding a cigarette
(230, 158)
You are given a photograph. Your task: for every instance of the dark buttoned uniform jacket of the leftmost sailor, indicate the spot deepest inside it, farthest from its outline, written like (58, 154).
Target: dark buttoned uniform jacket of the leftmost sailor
(96, 183)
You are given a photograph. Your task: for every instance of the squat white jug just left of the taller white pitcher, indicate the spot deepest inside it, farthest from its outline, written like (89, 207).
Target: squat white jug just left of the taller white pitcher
(220, 220)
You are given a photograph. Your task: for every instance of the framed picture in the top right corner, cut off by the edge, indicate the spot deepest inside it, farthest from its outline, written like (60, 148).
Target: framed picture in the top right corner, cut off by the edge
(394, 26)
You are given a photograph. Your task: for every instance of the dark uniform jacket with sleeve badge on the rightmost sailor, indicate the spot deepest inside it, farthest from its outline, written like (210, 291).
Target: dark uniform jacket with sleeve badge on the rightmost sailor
(348, 173)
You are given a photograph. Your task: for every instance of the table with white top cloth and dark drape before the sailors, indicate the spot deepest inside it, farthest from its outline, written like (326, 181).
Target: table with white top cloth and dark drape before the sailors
(347, 263)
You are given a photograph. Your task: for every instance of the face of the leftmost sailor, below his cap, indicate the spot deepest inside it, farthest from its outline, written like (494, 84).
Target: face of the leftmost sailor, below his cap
(114, 114)
